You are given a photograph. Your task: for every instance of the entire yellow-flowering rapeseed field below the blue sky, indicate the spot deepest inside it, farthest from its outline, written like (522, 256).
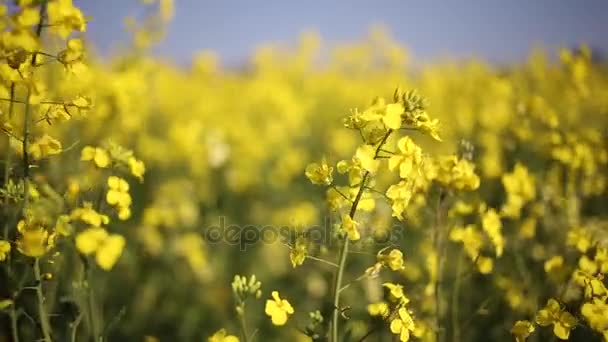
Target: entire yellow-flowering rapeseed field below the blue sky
(134, 190)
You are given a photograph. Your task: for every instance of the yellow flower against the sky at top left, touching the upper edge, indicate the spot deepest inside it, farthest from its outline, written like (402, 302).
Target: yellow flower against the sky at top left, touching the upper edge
(65, 18)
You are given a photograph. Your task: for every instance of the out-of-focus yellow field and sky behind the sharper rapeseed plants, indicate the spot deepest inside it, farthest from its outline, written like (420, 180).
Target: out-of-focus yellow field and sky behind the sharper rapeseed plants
(227, 102)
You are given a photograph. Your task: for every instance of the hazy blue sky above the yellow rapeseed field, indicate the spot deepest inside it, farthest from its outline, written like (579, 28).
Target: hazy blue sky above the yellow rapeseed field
(496, 30)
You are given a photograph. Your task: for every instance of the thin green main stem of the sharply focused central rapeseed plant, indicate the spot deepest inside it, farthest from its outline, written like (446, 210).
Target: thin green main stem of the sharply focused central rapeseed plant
(344, 250)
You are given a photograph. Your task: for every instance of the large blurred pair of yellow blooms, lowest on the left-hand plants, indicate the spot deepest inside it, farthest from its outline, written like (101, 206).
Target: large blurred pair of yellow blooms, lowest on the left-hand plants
(107, 247)
